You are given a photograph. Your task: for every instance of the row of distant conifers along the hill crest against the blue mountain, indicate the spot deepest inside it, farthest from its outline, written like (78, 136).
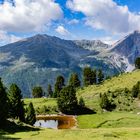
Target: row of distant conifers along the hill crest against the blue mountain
(89, 75)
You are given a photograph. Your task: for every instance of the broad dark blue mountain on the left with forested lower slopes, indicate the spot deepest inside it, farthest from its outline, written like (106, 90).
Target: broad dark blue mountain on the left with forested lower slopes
(38, 60)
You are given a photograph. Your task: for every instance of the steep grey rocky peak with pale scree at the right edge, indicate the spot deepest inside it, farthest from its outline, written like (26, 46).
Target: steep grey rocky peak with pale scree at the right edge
(125, 51)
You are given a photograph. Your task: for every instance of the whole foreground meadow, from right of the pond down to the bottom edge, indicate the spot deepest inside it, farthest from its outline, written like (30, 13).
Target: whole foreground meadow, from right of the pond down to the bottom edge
(113, 129)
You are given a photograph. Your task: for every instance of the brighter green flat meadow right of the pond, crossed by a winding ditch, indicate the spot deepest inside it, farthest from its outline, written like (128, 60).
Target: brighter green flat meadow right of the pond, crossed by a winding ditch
(109, 120)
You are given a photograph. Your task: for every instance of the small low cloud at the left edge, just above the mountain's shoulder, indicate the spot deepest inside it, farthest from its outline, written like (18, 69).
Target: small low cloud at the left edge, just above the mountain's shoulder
(7, 38)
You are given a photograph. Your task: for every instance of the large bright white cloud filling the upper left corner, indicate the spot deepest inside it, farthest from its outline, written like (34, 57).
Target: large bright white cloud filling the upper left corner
(28, 15)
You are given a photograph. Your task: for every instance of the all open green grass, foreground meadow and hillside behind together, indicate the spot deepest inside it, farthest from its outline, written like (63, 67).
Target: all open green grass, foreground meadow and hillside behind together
(106, 126)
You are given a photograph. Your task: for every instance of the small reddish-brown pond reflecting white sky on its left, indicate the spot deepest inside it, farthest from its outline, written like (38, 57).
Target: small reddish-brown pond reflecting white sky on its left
(56, 122)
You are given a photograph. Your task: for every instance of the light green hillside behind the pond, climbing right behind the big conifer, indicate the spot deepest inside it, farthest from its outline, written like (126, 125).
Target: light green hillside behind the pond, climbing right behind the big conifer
(91, 93)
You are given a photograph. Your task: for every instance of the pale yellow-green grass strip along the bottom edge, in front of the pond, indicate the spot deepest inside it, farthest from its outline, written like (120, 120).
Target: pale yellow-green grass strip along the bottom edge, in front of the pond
(80, 134)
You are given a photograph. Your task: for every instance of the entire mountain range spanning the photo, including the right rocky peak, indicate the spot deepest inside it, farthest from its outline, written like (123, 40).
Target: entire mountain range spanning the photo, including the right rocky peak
(38, 60)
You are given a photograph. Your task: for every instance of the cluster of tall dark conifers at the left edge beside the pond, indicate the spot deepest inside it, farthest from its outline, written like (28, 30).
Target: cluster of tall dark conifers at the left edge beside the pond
(12, 106)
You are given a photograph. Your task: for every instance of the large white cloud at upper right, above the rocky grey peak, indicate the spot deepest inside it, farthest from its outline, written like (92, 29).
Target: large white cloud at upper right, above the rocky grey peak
(106, 15)
